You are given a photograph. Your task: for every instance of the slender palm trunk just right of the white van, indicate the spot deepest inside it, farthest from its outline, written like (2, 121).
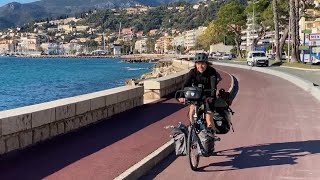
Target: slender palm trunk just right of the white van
(276, 28)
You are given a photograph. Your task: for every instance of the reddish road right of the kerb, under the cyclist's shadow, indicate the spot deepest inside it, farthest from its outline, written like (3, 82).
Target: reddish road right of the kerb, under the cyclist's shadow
(277, 136)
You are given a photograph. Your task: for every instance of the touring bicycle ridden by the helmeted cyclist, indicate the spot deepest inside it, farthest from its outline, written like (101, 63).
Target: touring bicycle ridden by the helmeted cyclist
(196, 97)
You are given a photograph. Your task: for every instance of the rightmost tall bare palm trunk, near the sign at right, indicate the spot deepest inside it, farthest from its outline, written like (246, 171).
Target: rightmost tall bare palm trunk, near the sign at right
(293, 30)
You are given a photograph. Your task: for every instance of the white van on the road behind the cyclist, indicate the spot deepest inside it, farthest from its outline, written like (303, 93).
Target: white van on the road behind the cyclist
(257, 58)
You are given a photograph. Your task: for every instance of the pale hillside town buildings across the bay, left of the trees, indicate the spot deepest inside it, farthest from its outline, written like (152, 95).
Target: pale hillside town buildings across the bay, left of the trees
(41, 40)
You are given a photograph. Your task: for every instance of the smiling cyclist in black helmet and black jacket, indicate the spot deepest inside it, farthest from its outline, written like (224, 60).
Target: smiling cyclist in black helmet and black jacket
(201, 74)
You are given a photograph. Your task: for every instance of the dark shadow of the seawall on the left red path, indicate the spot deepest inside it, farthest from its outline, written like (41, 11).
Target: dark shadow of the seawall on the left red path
(43, 159)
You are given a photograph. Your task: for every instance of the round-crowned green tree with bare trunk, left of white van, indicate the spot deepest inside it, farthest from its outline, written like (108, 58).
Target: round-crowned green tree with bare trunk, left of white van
(231, 18)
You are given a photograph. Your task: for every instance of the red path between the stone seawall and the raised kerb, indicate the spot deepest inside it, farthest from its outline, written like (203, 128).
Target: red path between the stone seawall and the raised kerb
(101, 151)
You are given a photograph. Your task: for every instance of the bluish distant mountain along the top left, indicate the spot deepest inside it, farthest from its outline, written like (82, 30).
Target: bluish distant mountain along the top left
(15, 14)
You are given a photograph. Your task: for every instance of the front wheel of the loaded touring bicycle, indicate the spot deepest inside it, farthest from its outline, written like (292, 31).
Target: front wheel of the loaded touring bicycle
(192, 148)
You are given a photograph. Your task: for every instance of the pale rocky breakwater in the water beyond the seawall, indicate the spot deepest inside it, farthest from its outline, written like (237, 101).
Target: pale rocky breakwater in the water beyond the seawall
(160, 69)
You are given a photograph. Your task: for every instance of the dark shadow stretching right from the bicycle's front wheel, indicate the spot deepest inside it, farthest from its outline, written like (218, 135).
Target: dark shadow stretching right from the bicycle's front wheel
(264, 155)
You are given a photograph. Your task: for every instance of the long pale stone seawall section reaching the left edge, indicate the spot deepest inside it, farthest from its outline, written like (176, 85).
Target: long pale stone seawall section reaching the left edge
(29, 125)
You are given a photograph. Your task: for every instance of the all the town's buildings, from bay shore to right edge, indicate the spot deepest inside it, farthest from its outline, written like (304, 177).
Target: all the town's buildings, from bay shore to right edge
(65, 37)
